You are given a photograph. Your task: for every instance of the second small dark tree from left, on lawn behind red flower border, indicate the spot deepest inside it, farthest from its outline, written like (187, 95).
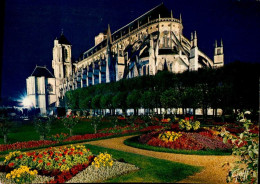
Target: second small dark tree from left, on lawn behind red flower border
(43, 126)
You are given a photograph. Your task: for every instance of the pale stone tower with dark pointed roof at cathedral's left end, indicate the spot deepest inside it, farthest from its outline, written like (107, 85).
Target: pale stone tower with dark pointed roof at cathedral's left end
(61, 62)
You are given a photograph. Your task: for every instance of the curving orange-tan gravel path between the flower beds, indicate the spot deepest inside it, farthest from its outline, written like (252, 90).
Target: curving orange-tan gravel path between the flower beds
(212, 173)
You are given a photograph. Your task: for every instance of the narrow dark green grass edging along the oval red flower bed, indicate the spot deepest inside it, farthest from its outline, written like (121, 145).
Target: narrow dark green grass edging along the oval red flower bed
(133, 141)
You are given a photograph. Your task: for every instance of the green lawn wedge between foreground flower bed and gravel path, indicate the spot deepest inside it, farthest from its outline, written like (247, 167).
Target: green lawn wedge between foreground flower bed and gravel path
(151, 169)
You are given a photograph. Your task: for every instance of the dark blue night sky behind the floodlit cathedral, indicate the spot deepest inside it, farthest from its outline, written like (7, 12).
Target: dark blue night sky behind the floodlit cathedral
(30, 27)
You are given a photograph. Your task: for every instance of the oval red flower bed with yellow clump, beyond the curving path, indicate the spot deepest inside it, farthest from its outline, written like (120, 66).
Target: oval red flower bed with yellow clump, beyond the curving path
(201, 140)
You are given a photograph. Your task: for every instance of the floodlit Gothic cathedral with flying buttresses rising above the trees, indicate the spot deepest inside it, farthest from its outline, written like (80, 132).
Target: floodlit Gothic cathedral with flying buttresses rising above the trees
(150, 43)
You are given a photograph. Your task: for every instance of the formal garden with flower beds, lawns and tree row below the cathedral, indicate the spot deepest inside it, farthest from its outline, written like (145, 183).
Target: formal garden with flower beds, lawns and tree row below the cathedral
(47, 150)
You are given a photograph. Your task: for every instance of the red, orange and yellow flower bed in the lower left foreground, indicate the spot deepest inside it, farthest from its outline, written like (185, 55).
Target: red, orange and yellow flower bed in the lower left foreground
(57, 165)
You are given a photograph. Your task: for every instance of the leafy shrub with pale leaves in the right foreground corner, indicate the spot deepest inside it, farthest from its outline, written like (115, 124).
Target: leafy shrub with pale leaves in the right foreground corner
(246, 148)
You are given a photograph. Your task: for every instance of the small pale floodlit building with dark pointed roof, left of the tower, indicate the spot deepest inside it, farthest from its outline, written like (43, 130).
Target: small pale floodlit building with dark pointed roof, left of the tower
(41, 89)
